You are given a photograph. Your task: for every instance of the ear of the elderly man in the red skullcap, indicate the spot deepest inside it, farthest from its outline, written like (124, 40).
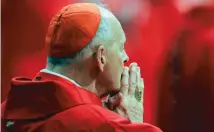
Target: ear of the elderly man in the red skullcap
(101, 58)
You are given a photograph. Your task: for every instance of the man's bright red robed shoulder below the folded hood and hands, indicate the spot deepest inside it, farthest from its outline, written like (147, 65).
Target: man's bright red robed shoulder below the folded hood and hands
(96, 118)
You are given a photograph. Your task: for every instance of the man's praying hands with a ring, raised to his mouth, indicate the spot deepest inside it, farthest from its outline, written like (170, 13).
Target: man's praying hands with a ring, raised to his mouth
(128, 102)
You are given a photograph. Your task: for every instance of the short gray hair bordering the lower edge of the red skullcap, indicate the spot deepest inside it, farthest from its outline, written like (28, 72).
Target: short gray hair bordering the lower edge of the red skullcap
(103, 36)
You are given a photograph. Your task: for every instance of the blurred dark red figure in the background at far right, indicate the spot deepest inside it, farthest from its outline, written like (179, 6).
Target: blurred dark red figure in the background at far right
(186, 83)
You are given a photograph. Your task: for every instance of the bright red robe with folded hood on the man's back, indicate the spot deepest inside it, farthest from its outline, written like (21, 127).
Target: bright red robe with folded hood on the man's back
(50, 103)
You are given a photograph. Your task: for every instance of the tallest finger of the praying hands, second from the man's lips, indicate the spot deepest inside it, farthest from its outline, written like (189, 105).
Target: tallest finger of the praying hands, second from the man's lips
(132, 78)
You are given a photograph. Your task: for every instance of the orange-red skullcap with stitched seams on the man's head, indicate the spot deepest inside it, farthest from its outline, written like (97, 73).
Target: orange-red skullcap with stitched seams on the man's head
(72, 29)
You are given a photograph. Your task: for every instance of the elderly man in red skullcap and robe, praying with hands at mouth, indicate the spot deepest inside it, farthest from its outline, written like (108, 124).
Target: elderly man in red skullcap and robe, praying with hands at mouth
(86, 54)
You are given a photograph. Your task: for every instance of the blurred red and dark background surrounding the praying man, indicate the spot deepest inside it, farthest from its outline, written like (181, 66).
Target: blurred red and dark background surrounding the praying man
(171, 40)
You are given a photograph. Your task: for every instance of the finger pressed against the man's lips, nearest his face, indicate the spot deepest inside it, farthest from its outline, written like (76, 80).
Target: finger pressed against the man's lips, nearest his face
(125, 81)
